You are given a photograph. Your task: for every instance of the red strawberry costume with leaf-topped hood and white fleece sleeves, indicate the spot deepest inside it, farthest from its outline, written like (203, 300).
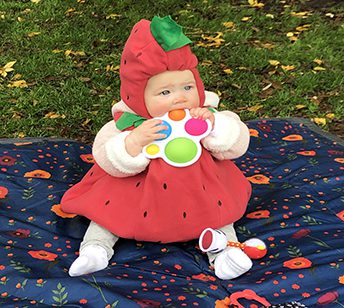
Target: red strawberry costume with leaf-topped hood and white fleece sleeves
(149, 200)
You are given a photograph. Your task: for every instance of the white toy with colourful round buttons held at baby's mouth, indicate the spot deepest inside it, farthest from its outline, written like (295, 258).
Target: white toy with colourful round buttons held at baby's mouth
(181, 147)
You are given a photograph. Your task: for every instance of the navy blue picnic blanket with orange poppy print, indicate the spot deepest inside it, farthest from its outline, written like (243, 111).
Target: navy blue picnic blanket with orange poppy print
(297, 208)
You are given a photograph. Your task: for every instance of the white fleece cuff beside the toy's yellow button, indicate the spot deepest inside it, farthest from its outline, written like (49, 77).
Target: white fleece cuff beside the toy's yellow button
(119, 157)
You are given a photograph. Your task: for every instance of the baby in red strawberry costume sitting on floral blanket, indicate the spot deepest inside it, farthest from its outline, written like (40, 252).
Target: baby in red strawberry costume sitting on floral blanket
(127, 195)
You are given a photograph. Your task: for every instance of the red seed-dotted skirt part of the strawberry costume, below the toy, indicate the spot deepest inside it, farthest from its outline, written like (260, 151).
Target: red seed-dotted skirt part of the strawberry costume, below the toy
(163, 203)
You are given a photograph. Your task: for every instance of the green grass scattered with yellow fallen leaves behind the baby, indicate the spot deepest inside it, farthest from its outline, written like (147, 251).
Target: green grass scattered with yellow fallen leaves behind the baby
(71, 95)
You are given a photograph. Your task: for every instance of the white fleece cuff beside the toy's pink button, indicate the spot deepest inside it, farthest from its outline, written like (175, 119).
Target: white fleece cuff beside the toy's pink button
(225, 134)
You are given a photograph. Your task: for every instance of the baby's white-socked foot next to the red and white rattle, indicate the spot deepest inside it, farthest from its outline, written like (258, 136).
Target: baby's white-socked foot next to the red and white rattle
(231, 263)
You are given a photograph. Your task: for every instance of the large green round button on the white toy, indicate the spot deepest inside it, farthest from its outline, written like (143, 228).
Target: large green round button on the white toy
(181, 150)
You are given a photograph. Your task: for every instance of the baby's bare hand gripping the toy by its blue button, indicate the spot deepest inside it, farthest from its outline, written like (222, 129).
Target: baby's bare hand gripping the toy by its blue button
(142, 135)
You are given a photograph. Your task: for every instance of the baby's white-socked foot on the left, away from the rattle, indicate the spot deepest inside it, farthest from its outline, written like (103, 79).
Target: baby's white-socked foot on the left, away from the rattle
(92, 258)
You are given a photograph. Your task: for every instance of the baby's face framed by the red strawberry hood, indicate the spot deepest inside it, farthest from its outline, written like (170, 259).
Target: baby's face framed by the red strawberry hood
(171, 90)
